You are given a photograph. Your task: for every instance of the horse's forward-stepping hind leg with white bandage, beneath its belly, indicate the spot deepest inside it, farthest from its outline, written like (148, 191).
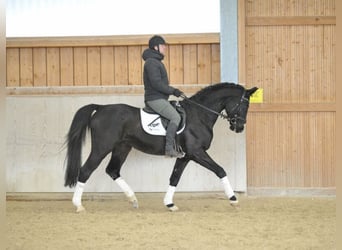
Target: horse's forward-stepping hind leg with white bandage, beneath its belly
(119, 155)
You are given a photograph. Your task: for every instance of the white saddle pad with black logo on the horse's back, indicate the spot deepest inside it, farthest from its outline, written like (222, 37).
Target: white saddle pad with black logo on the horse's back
(152, 124)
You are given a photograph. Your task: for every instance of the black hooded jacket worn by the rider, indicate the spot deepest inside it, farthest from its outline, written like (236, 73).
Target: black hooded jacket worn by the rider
(156, 82)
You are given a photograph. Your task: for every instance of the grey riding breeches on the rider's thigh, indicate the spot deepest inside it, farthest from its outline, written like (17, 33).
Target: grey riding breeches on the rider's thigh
(165, 109)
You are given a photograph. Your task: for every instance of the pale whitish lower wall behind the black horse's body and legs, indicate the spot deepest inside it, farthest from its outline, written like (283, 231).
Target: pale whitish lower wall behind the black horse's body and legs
(36, 129)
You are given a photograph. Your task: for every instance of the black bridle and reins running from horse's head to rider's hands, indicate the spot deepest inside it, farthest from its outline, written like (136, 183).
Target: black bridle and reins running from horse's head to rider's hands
(232, 116)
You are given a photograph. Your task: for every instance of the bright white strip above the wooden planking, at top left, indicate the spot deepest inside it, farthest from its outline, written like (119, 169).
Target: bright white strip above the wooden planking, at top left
(27, 18)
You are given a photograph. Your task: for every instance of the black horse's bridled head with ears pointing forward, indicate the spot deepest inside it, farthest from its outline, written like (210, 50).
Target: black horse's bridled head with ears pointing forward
(237, 110)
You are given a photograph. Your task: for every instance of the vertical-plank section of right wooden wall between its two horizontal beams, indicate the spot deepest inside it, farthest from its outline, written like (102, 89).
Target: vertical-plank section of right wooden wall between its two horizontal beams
(292, 65)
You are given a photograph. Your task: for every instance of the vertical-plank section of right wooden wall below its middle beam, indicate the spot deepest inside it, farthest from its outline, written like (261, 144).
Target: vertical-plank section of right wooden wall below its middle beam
(296, 151)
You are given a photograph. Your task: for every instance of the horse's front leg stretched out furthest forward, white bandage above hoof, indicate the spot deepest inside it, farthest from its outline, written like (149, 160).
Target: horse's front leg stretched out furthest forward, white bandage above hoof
(202, 158)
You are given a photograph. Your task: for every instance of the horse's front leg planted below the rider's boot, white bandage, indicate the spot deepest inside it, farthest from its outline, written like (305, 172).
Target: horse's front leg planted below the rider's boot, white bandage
(174, 179)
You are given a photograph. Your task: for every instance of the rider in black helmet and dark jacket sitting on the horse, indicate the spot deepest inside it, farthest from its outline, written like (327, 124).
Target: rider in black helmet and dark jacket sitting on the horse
(158, 90)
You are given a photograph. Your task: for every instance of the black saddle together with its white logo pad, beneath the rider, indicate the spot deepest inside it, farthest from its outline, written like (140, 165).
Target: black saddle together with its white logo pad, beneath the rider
(155, 124)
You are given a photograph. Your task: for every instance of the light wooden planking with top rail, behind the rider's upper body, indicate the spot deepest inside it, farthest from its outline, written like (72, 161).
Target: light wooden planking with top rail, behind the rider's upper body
(53, 62)
